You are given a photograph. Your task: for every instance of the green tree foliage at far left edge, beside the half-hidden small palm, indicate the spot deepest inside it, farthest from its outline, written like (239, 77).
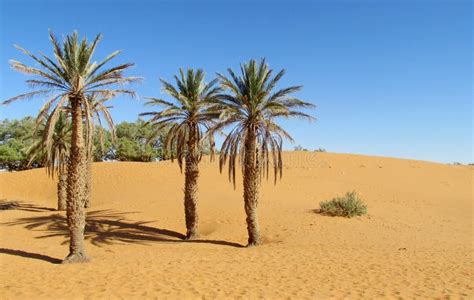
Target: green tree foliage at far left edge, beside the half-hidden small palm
(15, 139)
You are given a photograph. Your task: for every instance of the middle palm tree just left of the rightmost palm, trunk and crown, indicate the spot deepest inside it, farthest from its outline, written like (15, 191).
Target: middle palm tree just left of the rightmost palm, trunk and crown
(186, 118)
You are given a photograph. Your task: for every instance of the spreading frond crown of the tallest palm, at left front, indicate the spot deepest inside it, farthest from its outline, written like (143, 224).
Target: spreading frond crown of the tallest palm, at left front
(71, 75)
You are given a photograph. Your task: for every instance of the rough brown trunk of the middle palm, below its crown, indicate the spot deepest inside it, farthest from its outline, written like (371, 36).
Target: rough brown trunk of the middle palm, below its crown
(190, 189)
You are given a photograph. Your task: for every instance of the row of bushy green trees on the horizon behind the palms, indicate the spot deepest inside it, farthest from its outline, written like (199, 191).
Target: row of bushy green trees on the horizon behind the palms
(135, 141)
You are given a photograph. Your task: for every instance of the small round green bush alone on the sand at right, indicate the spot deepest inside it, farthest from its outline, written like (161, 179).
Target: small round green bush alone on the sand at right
(350, 205)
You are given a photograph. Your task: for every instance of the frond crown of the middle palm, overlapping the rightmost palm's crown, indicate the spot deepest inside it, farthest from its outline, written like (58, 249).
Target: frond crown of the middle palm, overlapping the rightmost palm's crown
(189, 114)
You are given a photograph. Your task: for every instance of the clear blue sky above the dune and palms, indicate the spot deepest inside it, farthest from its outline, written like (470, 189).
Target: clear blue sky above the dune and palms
(390, 78)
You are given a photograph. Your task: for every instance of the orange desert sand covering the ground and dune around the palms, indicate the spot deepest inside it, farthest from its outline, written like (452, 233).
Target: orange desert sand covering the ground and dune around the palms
(416, 241)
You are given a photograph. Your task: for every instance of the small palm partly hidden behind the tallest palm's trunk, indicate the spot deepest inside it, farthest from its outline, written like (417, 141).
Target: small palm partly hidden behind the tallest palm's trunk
(55, 156)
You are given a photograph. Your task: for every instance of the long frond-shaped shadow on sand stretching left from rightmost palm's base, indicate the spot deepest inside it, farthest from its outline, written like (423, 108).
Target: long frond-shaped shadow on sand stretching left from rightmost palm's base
(105, 227)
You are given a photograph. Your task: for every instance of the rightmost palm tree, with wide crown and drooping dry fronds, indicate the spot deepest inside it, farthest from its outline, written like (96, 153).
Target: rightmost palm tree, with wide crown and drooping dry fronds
(252, 106)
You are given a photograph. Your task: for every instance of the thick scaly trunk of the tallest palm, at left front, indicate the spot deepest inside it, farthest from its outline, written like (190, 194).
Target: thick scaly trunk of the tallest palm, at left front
(76, 215)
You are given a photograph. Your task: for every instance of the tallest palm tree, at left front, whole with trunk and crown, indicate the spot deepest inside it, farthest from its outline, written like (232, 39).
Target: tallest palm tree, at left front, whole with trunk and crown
(67, 80)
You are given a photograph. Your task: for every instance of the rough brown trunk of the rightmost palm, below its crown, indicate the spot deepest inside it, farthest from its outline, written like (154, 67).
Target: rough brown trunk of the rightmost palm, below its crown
(251, 181)
